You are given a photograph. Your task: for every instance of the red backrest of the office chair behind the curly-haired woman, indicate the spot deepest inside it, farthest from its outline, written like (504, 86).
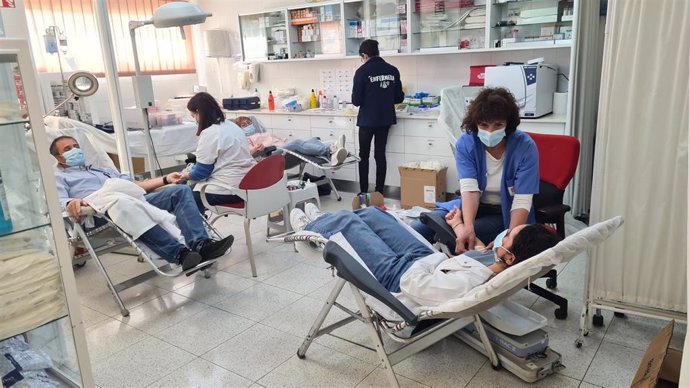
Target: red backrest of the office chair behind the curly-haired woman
(558, 158)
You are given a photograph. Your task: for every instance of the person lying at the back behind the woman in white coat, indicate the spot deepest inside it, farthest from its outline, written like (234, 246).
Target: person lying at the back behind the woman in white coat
(333, 151)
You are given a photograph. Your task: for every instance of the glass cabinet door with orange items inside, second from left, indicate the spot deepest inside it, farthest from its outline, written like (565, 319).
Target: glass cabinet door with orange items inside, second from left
(316, 31)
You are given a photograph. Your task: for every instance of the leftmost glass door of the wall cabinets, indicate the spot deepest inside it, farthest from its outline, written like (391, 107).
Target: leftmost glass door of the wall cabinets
(264, 36)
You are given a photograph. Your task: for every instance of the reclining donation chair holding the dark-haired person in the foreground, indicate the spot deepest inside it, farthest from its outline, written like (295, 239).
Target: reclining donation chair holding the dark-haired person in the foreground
(453, 317)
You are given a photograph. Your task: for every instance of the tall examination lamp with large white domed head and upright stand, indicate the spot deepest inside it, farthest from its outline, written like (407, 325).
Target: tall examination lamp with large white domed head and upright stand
(175, 14)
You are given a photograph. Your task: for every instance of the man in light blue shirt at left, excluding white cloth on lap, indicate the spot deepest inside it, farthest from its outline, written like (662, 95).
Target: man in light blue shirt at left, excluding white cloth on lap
(76, 180)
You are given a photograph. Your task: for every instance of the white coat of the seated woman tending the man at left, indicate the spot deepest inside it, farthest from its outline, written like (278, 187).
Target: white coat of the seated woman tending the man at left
(225, 146)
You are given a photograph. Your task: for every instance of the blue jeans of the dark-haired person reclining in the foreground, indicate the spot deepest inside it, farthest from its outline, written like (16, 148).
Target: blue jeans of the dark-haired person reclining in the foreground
(384, 245)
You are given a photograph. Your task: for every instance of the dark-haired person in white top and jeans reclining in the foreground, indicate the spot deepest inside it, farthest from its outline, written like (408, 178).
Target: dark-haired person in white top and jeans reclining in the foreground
(408, 268)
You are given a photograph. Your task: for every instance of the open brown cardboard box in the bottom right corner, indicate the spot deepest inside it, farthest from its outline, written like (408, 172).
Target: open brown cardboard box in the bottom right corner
(660, 365)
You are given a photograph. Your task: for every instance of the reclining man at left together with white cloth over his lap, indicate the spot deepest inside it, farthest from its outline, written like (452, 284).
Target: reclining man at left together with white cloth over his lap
(81, 185)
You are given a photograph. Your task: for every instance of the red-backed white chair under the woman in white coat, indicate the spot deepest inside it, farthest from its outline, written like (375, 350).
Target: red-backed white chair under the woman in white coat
(263, 190)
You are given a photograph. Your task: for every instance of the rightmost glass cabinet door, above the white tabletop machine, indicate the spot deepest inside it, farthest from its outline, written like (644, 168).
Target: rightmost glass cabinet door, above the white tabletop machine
(531, 23)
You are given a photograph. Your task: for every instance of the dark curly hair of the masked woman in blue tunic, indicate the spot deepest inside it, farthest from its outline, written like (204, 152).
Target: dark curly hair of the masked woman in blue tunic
(492, 104)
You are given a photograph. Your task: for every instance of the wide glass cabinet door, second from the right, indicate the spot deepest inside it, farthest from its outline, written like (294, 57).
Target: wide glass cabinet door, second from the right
(442, 25)
